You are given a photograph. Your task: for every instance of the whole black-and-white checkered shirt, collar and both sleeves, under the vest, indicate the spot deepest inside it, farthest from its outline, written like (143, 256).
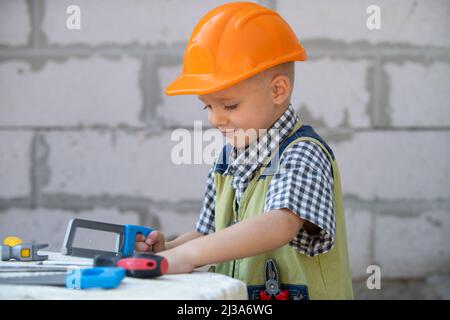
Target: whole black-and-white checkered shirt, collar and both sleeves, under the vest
(303, 184)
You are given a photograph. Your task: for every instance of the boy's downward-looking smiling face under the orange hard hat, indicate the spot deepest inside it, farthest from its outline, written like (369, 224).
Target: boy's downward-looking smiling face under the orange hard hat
(239, 111)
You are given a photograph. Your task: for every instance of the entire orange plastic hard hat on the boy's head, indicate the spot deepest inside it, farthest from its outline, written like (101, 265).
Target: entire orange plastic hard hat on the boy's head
(234, 42)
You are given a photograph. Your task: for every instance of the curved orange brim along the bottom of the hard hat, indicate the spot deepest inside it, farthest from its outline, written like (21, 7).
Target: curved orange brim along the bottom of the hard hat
(208, 83)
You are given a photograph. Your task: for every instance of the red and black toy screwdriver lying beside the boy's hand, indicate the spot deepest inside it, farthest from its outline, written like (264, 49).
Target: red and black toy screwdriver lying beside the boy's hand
(138, 266)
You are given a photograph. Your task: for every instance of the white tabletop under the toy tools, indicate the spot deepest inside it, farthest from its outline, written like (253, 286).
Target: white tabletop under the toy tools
(194, 286)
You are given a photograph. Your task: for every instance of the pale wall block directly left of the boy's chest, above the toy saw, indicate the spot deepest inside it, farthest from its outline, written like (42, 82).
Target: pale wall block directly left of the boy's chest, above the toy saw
(123, 164)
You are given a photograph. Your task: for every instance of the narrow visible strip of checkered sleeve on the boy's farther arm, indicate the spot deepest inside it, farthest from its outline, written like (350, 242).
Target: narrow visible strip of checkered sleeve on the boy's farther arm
(205, 223)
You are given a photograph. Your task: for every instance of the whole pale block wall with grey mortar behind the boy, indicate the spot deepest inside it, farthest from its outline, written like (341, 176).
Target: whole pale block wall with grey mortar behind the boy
(85, 126)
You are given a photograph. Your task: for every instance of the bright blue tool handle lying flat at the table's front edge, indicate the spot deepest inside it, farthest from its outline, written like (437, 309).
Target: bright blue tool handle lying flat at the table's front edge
(107, 278)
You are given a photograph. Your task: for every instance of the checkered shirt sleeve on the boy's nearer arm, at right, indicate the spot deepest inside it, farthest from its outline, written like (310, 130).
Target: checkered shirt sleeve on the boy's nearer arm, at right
(304, 185)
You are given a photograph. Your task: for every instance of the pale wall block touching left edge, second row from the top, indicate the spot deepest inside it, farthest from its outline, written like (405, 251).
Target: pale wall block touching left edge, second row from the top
(73, 101)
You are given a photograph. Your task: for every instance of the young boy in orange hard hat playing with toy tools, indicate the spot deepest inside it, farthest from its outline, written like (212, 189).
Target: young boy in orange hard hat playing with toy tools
(272, 215)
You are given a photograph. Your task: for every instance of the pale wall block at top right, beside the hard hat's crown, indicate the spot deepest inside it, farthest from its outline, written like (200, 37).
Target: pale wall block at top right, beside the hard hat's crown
(420, 23)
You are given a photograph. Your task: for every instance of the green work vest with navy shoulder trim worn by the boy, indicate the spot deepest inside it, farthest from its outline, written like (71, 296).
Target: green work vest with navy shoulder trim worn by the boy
(324, 276)
